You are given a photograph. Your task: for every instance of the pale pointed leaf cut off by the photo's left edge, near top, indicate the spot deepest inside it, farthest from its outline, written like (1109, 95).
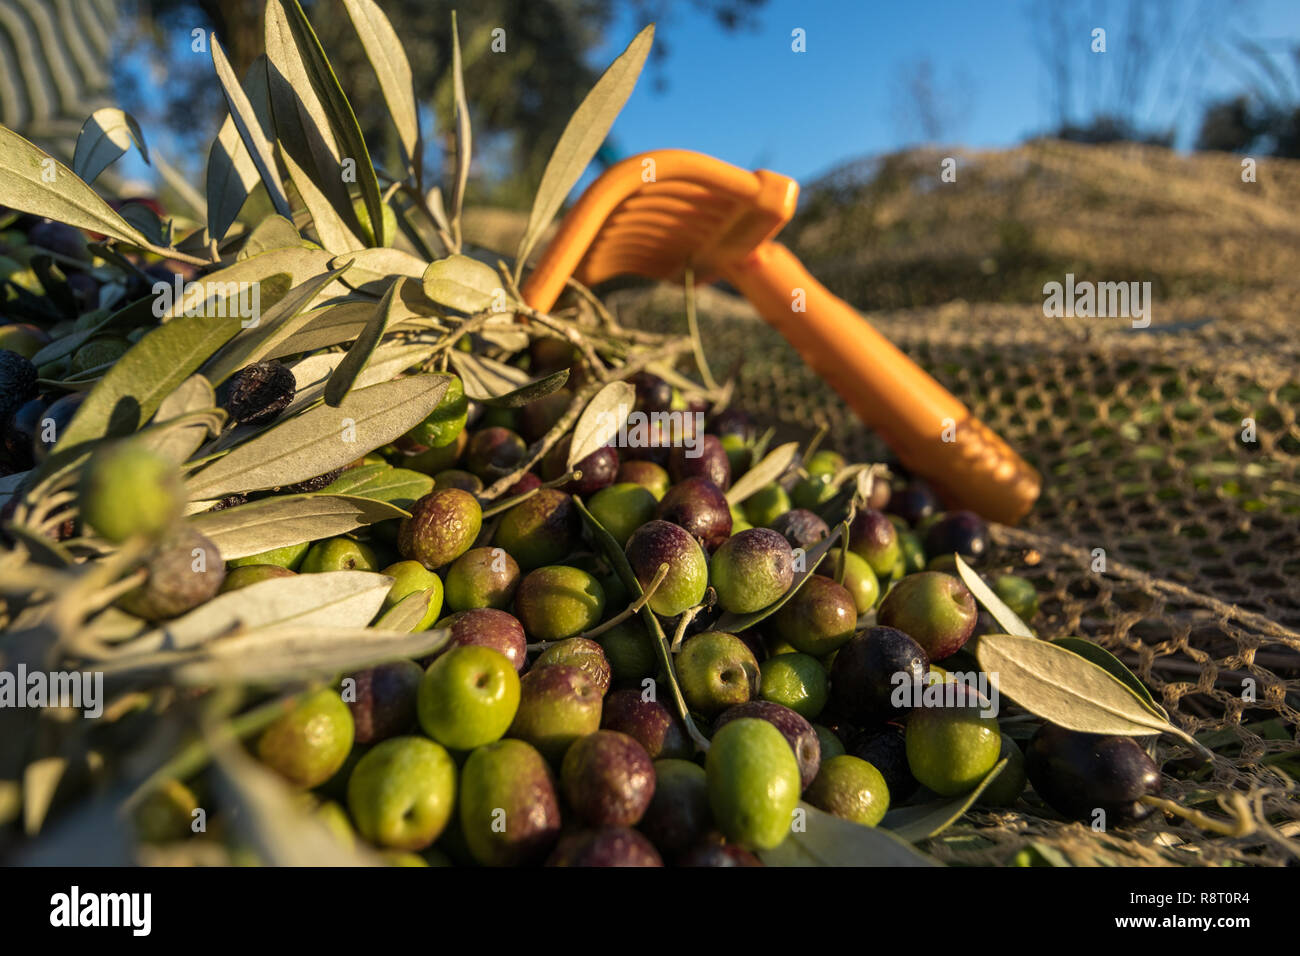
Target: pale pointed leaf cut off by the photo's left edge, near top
(36, 183)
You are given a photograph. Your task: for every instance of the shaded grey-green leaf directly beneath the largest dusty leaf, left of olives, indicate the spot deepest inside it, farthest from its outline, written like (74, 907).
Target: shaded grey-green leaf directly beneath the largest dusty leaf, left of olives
(283, 521)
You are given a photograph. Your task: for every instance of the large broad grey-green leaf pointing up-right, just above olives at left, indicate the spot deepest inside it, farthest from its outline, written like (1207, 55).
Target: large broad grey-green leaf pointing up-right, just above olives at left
(323, 439)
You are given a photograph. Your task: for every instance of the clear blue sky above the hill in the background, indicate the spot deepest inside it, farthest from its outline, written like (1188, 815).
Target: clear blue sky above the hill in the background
(747, 98)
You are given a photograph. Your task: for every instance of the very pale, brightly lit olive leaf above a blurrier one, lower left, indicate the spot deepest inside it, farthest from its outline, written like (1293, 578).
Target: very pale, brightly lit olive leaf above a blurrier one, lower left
(337, 599)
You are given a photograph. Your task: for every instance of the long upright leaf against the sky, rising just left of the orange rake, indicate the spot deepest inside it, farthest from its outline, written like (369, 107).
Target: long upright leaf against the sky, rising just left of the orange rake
(587, 129)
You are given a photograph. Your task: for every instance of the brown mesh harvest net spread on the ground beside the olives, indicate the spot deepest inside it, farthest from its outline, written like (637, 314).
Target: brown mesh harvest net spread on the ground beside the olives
(1139, 439)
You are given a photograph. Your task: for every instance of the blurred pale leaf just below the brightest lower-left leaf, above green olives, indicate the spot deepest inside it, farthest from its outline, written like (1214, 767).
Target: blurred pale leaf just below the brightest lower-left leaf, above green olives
(291, 654)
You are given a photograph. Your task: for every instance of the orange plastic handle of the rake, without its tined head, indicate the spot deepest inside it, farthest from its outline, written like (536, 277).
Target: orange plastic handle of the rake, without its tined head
(894, 396)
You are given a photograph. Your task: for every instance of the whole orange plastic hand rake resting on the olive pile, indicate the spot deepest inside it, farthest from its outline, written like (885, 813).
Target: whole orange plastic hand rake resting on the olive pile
(660, 213)
